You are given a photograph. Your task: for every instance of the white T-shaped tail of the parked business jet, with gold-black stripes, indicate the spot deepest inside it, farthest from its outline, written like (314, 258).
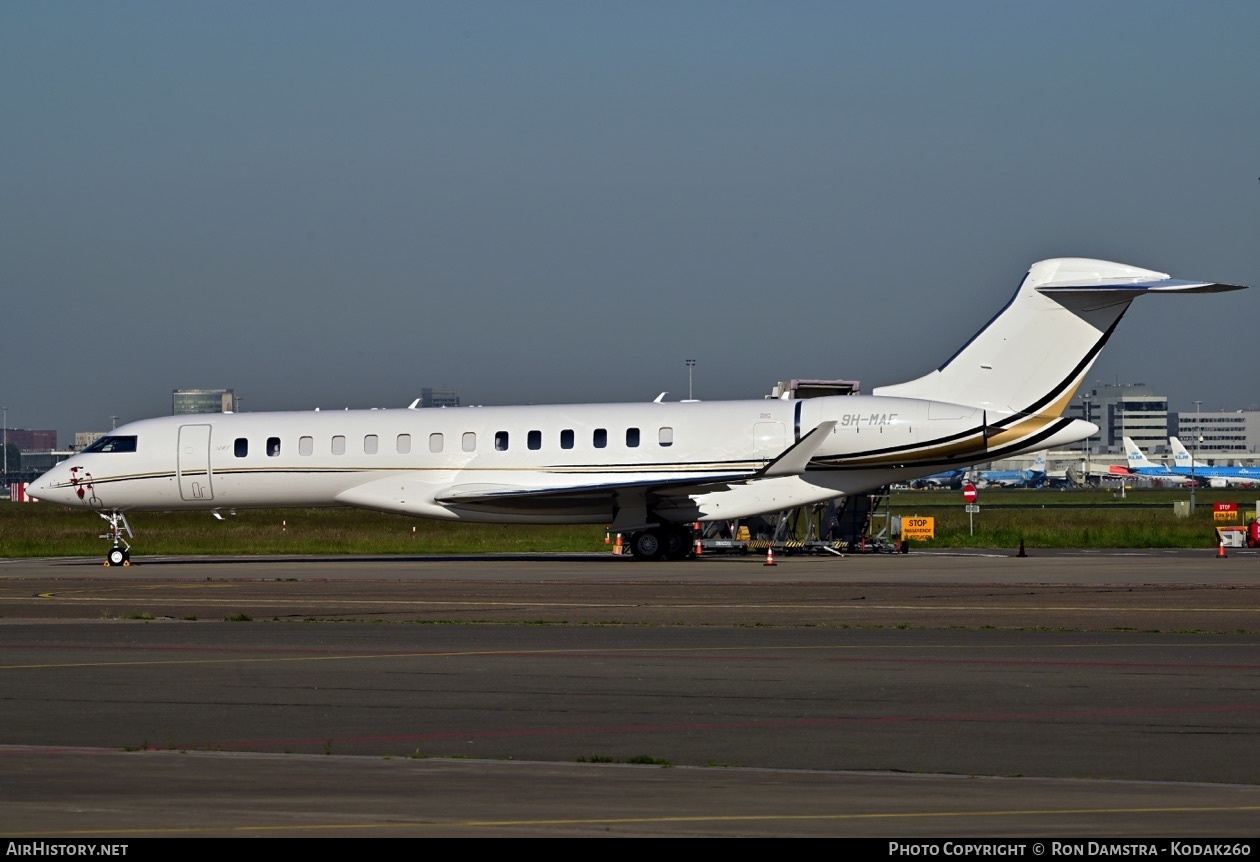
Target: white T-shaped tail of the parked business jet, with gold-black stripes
(1028, 364)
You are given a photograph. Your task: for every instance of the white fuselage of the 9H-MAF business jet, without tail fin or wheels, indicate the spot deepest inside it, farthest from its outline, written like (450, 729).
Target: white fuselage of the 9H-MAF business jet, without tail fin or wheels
(385, 459)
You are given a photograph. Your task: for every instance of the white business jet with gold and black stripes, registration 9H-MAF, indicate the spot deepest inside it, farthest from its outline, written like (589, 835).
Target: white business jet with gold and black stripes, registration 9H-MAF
(648, 469)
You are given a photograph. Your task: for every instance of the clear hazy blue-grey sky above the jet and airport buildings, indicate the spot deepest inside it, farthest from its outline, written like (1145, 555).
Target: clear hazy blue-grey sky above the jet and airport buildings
(336, 205)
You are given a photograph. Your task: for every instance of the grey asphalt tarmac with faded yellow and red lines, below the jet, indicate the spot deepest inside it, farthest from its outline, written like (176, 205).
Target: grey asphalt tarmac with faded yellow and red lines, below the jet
(924, 695)
